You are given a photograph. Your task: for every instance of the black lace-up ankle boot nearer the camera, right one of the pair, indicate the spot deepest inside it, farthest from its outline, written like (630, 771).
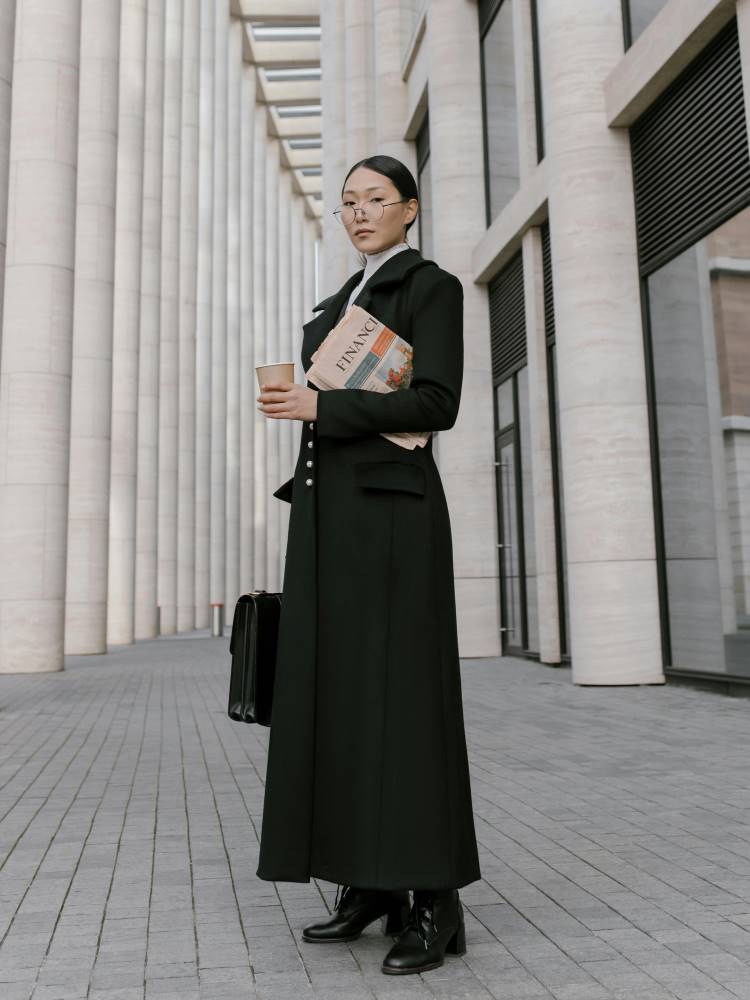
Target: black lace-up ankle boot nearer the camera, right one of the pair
(435, 926)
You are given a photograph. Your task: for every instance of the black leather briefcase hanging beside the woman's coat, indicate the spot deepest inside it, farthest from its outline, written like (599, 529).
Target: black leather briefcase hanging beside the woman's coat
(252, 646)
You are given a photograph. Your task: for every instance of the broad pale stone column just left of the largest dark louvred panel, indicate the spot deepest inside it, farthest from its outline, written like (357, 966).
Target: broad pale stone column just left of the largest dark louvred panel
(609, 515)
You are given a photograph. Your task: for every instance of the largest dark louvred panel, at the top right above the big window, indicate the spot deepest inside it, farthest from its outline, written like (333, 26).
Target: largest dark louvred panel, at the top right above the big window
(691, 167)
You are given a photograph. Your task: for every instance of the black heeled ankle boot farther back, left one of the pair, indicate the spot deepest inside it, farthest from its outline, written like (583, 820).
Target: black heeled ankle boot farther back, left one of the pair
(355, 909)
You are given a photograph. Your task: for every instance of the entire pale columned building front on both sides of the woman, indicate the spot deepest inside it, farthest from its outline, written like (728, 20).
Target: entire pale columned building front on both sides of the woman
(168, 173)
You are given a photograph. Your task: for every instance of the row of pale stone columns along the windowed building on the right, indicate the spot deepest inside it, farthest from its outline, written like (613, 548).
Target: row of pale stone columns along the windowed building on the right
(608, 510)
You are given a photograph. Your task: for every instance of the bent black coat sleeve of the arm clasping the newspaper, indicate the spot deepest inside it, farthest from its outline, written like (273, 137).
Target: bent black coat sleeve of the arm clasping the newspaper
(431, 402)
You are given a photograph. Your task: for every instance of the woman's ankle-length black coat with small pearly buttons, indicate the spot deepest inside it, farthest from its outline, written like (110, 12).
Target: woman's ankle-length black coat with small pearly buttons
(367, 781)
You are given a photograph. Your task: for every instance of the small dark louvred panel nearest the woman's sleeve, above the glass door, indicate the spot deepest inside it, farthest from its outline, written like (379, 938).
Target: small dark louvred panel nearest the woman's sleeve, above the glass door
(507, 320)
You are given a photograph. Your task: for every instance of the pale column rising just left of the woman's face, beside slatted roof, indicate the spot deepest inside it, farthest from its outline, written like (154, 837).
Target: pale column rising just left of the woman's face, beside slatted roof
(340, 255)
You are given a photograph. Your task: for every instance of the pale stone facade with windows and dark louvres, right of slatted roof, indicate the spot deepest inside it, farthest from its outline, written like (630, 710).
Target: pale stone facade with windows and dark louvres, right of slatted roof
(584, 169)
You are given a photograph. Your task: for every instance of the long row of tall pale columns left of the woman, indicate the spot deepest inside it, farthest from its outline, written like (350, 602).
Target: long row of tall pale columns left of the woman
(153, 251)
